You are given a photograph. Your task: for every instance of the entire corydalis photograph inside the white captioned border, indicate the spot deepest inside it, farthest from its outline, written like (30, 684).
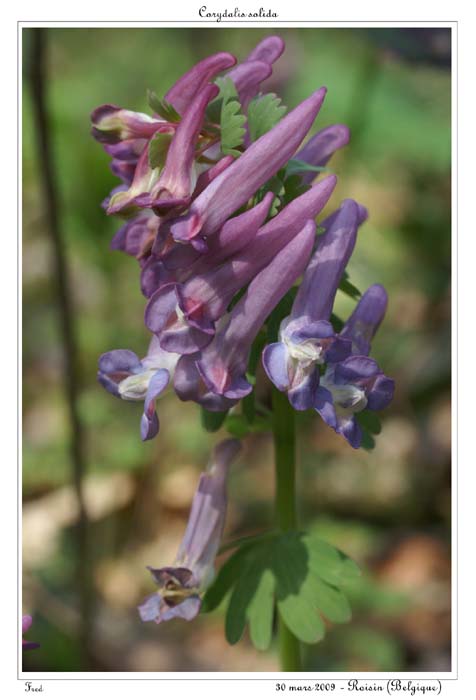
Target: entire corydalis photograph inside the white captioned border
(236, 357)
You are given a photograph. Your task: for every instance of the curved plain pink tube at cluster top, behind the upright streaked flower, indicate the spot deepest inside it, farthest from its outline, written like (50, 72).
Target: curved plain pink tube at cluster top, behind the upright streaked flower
(193, 81)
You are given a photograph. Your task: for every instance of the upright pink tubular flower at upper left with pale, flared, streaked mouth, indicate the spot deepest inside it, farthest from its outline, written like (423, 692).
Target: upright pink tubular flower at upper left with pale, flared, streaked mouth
(176, 183)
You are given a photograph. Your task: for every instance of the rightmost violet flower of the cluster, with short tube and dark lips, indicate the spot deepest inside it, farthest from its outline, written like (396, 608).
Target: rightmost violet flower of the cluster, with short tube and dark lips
(357, 383)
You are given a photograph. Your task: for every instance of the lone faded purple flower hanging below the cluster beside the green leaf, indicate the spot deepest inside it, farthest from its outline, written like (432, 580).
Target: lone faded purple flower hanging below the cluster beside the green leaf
(181, 585)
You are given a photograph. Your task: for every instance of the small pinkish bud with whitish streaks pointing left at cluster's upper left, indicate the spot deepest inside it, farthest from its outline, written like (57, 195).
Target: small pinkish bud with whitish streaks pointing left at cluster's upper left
(112, 124)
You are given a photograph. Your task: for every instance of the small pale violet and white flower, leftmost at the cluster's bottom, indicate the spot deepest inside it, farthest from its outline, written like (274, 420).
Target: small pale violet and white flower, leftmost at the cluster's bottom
(124, 375)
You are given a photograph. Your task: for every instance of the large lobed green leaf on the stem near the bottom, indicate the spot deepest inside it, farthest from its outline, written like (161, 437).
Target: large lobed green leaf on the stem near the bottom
(298, 573)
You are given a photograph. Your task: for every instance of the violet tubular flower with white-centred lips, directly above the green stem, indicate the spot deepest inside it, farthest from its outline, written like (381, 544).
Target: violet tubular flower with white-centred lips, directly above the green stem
(306, 338)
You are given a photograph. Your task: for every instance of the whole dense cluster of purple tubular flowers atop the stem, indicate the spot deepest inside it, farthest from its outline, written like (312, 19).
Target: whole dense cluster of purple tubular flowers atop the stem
(220, 207)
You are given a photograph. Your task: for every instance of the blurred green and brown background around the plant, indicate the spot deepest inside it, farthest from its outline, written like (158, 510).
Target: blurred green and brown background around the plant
(389, 508)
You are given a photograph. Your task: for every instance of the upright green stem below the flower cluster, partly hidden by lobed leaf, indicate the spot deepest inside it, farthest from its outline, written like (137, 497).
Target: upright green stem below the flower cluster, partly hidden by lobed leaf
(286, 517)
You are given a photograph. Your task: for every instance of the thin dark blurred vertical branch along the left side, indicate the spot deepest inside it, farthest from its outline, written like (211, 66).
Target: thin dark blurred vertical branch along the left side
(37, 73)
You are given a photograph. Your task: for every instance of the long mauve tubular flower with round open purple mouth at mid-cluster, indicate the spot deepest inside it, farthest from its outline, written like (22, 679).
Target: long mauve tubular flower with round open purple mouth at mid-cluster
(184, 315)
